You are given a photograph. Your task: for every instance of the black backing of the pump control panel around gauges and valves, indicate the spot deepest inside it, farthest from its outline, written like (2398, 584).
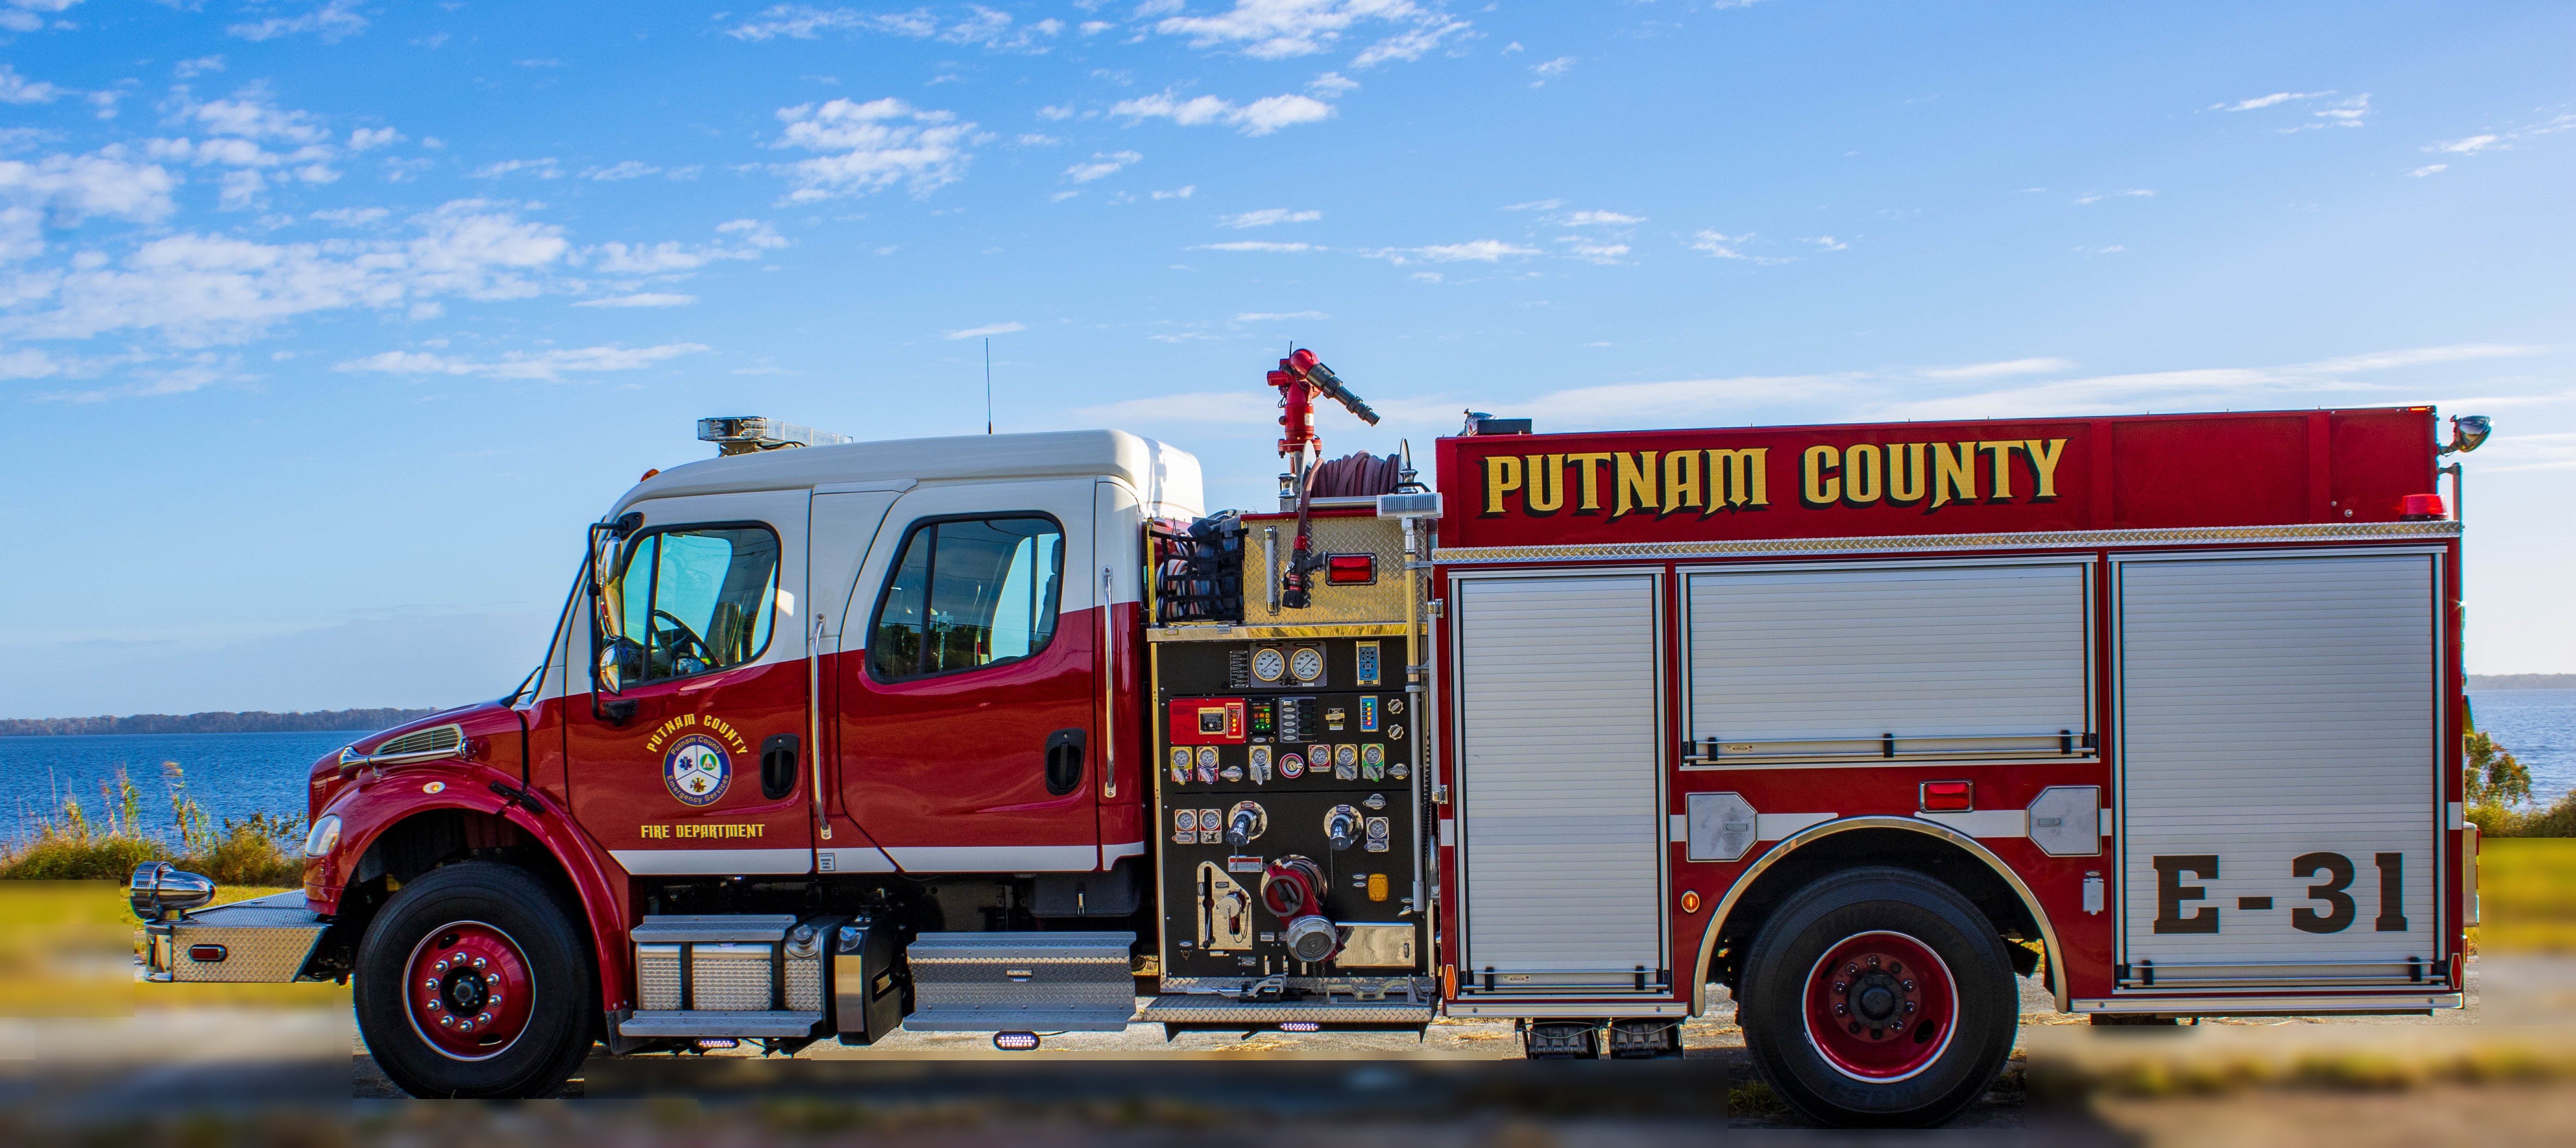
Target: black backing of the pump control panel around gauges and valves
(1294, 807)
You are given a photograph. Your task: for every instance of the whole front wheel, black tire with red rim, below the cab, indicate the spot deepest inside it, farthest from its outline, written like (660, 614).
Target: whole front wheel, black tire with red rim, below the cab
(473, 982)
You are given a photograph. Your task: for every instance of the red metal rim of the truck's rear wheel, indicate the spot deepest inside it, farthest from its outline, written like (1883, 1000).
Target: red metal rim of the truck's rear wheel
(1882, 1008)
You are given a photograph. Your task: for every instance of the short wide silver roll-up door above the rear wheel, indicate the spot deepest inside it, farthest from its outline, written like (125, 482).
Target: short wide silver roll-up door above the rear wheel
(1915, 663)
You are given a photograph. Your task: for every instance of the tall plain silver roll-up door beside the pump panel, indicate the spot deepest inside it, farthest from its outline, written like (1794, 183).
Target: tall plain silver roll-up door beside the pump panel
(1560, 784)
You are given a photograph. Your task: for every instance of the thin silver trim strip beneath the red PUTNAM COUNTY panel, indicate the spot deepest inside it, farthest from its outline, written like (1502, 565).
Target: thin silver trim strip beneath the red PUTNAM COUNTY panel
(1982, 542)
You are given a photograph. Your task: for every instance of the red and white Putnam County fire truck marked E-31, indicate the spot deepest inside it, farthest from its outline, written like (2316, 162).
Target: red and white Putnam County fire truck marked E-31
(1009, 735)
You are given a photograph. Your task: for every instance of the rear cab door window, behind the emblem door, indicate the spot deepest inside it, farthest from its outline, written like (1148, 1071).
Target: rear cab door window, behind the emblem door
(967, 593)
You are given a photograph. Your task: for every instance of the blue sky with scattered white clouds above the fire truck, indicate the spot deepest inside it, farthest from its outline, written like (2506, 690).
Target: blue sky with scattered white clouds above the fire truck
(326, 328)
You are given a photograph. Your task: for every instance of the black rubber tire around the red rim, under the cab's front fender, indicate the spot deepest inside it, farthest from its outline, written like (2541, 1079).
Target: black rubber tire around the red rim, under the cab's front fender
(558, 1010)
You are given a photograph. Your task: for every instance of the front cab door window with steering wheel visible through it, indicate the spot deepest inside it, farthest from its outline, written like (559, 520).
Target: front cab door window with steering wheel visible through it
(697, 598)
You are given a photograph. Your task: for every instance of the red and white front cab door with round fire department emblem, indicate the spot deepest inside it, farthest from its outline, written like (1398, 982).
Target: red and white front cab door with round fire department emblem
(710, 768)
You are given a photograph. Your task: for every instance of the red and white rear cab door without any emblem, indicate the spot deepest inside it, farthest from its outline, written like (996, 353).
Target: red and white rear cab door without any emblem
(967, 681)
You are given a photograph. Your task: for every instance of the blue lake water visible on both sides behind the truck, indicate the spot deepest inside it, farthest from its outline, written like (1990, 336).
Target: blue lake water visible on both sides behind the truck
(243, 773)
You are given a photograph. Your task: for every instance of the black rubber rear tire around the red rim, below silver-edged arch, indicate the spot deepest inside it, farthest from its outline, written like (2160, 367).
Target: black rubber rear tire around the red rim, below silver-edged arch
(1838, 915)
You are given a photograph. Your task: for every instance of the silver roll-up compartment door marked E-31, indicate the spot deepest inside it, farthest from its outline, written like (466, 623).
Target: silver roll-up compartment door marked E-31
(2278, 771)
